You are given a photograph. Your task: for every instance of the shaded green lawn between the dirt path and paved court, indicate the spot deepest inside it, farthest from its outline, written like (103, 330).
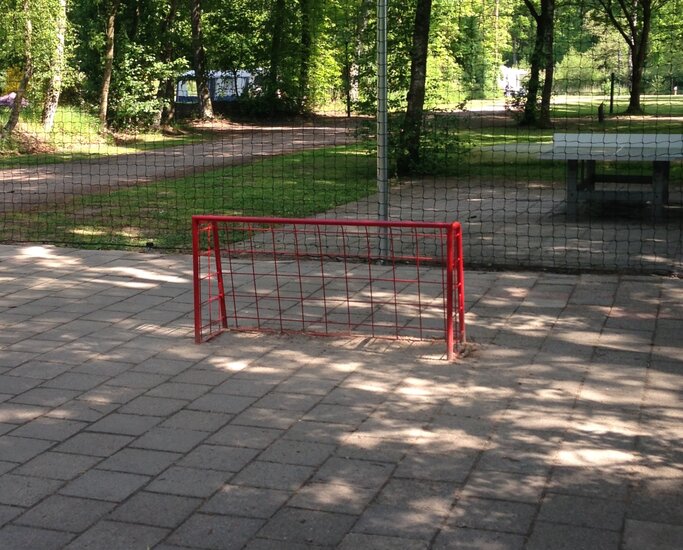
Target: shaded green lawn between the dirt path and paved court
(295, 185)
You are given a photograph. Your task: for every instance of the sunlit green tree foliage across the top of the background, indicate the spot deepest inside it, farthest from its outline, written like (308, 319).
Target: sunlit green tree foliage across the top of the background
(123, 58)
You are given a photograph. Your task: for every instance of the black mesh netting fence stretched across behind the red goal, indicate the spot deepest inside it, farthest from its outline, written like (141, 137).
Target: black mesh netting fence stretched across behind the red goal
(552, 131)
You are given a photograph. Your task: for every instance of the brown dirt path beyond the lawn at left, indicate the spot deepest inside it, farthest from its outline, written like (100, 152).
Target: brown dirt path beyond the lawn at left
(27, 188)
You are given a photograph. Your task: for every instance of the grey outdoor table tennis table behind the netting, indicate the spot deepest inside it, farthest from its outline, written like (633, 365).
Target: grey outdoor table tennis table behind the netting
(583, 151)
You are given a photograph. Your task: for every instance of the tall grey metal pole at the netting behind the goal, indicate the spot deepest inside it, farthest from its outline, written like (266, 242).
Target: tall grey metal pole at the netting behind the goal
(382, 125)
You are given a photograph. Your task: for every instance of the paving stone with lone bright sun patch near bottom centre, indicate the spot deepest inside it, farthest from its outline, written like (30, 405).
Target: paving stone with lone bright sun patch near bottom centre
(333, 497)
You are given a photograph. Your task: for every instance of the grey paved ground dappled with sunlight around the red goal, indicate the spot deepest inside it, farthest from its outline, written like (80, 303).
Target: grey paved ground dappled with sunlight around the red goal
(562, 429)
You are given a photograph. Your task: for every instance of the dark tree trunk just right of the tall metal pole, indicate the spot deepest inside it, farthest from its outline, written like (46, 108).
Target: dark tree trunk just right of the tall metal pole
(409, 153)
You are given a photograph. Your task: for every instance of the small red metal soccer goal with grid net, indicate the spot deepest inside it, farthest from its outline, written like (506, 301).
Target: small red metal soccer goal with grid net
(329, 277)
